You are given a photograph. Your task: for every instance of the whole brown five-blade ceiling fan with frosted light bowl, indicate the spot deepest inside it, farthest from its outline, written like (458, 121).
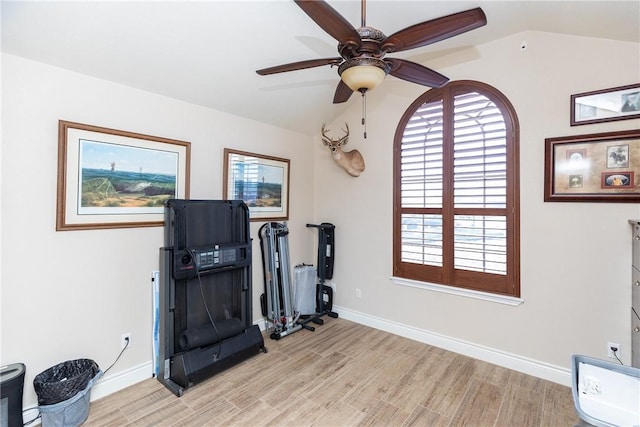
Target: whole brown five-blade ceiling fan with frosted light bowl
(362, 64)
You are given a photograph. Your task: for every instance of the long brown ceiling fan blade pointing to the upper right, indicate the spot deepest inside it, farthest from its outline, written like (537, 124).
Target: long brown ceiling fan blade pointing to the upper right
(434, 30)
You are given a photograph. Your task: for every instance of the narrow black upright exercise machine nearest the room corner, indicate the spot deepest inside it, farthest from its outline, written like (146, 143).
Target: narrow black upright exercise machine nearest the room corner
(326, 255)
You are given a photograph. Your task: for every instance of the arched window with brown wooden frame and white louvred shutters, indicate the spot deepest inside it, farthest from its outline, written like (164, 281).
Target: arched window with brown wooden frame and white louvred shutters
(456, 190)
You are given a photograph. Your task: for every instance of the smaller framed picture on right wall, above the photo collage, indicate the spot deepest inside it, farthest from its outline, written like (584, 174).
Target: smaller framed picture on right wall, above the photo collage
(606, 105)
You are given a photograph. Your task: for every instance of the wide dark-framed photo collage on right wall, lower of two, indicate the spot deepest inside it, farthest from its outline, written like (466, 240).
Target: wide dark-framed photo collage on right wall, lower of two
(602, 167)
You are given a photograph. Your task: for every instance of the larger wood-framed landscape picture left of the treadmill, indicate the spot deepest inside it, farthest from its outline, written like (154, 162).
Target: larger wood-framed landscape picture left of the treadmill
(109, 178)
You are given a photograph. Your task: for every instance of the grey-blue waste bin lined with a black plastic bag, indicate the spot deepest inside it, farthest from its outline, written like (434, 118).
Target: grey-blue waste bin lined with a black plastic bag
(64, 392)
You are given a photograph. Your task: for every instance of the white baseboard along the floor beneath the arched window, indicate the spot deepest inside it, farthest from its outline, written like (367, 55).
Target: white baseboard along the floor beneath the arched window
(497, 357)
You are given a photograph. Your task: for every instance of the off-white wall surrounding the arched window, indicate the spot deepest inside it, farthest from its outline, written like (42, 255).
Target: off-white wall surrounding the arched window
(575, 256)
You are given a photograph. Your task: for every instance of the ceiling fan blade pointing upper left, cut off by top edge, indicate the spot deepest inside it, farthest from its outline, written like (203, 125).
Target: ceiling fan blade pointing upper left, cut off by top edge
(330, 21)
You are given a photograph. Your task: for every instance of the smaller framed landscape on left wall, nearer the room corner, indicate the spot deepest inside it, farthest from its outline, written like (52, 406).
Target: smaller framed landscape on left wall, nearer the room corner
(262, 182)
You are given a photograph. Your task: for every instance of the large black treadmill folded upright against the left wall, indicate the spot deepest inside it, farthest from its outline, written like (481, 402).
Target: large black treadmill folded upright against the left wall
(205, 310)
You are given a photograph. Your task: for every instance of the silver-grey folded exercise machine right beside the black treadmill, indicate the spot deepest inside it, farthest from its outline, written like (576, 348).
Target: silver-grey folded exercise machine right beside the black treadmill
(277, 302)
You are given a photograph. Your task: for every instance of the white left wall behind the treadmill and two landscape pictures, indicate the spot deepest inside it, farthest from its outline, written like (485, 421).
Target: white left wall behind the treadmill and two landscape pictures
(71, 294)
